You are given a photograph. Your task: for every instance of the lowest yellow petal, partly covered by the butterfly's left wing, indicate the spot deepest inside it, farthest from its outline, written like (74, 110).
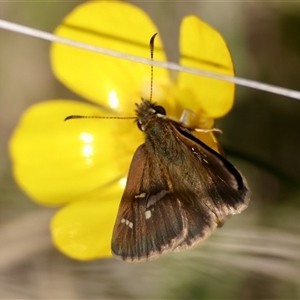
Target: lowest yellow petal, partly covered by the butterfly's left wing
(83, 228)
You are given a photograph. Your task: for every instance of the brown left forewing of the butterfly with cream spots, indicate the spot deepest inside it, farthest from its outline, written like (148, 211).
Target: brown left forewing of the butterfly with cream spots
(150, 219)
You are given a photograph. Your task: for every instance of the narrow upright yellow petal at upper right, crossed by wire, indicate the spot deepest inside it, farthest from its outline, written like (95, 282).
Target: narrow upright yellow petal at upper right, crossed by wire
(204, 48)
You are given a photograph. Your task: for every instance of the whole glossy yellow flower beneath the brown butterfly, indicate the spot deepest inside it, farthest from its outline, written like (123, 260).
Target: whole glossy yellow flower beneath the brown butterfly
(82, 164)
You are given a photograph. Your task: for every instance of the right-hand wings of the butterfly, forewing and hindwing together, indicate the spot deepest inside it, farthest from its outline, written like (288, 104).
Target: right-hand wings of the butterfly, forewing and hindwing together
(219, 189)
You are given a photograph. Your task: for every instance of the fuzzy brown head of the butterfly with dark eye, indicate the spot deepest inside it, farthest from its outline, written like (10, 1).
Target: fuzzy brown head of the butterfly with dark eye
(148, 111)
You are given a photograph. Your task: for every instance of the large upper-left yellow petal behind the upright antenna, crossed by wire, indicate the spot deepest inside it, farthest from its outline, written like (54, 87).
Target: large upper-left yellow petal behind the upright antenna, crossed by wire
(113, 82)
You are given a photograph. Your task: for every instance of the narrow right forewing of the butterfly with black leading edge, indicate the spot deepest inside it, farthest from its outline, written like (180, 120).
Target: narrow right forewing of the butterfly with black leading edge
(225, 186)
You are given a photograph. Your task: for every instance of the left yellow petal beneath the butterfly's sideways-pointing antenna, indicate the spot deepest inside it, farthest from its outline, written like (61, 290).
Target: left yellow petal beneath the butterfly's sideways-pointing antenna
(55, 161)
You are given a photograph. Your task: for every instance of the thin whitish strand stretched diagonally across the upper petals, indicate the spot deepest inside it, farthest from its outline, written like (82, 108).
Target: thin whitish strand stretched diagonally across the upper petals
(167, 65)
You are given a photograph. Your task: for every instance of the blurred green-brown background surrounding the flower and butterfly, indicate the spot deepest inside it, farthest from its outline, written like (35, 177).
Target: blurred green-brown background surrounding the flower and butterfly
(256, 255)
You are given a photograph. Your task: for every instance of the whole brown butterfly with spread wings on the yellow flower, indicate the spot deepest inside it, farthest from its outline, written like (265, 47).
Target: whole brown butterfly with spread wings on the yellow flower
(178, 190)
